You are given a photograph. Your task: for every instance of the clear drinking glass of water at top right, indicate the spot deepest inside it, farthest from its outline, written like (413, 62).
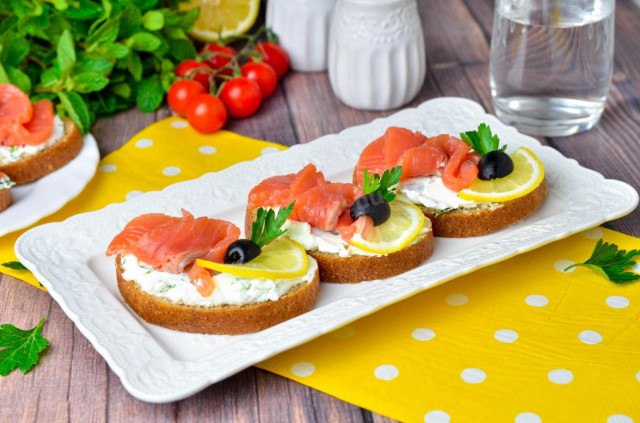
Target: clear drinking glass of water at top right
(551, 63)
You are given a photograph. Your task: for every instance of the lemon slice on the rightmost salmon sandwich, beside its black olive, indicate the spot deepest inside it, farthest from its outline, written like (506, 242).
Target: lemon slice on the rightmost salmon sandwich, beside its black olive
(528, 173)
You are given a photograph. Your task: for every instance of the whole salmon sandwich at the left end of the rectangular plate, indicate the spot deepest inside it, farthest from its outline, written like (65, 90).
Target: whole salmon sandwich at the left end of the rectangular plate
(195, 275)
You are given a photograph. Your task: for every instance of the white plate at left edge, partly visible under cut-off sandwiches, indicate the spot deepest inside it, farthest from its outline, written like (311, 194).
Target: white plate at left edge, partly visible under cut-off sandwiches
(48, 194)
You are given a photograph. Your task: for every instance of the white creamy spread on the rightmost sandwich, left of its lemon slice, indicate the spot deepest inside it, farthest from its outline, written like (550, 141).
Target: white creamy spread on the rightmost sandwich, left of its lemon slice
(431, 192)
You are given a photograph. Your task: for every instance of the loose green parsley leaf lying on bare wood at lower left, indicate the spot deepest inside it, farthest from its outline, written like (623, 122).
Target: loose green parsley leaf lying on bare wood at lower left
(21, 347)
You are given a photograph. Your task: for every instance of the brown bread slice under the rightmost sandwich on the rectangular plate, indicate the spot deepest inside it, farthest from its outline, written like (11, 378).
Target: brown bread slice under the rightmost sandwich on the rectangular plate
(468, 222)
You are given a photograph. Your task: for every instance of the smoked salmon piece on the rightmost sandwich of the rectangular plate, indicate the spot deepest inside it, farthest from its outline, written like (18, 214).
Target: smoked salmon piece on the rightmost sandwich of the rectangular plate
(442, 155)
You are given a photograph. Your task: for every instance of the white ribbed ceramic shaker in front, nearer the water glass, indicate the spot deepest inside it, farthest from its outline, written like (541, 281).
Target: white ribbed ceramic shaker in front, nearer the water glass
(376, 53)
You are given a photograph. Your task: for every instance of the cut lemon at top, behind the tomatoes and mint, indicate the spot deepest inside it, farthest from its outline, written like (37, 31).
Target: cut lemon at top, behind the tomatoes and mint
(222, 18)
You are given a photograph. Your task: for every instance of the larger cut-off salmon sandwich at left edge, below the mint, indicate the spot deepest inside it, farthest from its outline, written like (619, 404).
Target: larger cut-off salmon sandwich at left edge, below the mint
(34, 141)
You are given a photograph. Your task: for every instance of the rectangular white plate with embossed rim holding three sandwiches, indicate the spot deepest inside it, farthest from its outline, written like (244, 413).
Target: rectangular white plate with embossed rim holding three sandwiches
(161, 365)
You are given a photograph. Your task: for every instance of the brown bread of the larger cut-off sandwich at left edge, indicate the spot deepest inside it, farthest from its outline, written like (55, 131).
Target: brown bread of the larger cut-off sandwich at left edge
(48, 160)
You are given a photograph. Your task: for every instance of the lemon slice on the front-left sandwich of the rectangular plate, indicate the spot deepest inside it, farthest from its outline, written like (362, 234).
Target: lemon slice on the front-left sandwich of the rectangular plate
(281, 259)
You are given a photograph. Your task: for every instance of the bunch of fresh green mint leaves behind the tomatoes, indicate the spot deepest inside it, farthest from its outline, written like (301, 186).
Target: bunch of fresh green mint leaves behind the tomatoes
(93, 58)
